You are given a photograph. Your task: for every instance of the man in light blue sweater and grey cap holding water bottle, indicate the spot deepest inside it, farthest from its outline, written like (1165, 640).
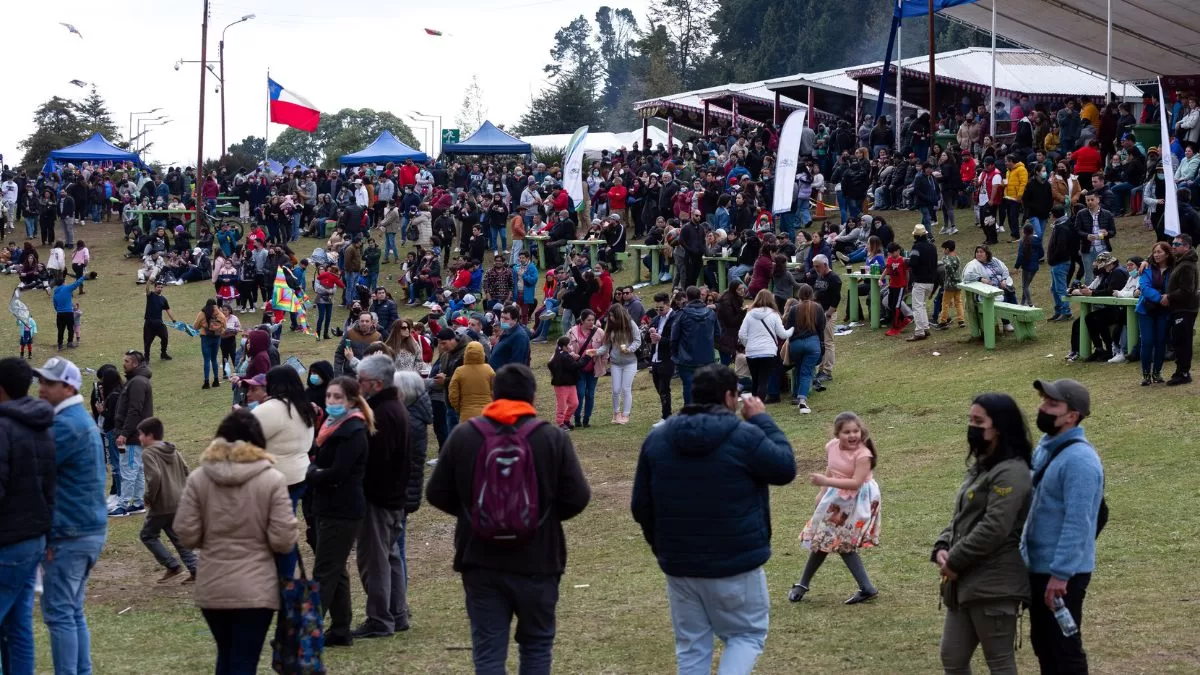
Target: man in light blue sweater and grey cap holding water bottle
(1059, 543)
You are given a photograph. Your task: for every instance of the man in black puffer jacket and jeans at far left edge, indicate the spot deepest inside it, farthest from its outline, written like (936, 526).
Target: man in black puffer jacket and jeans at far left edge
(27, 499)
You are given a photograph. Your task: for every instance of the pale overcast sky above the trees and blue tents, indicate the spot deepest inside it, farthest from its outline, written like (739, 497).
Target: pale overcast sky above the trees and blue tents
(337, 55)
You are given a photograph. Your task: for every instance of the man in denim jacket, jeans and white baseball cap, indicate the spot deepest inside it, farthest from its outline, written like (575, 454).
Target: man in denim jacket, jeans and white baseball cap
(80, 522)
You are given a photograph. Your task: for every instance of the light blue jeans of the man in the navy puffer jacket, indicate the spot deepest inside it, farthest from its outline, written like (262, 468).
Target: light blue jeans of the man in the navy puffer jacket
(733, 608)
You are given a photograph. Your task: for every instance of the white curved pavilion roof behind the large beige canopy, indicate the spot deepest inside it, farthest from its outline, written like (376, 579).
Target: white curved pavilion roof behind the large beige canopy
(1018, 71)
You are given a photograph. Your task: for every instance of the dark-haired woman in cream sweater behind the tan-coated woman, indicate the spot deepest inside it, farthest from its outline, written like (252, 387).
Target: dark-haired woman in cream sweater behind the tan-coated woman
(289, 423)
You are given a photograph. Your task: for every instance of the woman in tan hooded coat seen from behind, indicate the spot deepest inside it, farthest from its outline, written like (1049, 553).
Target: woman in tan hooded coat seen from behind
(236, 510)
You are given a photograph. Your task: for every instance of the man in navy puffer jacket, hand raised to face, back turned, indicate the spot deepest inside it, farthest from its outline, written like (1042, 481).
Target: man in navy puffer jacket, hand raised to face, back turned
(701, 497)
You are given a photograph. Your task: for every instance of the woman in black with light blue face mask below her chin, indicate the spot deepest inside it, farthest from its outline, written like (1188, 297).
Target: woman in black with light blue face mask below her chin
(339, 503)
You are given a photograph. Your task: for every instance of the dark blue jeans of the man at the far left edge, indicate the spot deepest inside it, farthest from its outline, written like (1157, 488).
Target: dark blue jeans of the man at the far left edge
(19, 569)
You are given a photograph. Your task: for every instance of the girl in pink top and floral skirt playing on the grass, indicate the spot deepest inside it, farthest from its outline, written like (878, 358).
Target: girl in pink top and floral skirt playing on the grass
(848, 515)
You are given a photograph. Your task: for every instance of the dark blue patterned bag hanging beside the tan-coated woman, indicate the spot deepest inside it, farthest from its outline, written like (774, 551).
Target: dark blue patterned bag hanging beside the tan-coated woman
(299, 634)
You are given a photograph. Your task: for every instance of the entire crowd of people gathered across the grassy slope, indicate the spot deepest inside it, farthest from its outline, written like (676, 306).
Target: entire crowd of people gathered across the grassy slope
(345, 441)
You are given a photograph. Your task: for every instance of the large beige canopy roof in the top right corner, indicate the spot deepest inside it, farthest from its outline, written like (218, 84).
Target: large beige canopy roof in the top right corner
(1150, 38)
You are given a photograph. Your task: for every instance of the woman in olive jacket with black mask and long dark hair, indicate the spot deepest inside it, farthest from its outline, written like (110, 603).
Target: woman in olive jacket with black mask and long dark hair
(985, 580)
